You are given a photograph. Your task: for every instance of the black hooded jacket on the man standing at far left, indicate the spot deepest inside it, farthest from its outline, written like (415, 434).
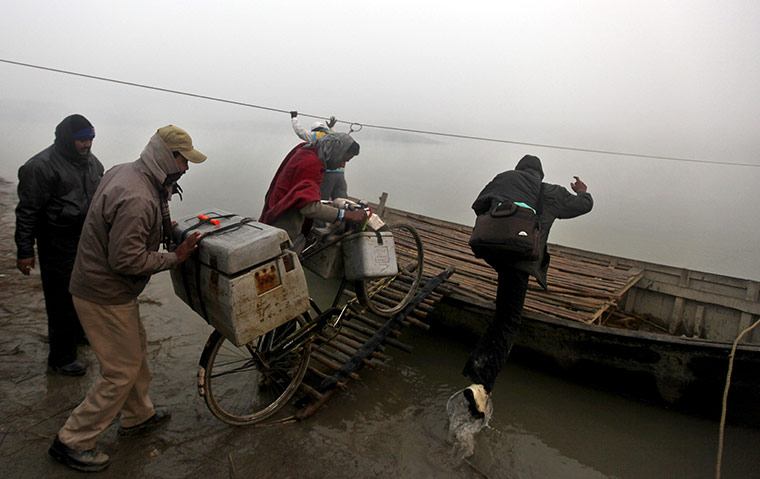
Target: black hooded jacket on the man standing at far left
(54, 190)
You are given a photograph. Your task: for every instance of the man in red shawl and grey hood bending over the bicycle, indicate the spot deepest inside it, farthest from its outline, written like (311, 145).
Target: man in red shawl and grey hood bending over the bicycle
(293, 199)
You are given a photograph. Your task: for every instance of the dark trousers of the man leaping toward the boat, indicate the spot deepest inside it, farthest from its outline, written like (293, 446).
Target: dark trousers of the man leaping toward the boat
(492, 350)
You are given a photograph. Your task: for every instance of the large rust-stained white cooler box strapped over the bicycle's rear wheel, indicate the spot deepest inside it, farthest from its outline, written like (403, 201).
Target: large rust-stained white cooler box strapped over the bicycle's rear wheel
(244, 281)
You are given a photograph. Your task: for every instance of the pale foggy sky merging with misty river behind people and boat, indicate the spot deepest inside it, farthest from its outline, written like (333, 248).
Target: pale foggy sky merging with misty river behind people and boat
(672, 78)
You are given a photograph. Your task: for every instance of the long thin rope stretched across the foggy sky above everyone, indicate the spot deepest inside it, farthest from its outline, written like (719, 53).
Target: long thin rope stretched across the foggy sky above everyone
(380, 127)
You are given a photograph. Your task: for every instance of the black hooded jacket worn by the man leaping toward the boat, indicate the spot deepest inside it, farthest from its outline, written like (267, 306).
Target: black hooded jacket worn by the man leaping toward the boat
(523, 184)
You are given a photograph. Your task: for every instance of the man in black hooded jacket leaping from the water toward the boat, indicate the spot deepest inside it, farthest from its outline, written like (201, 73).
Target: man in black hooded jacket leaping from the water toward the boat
(521, 185)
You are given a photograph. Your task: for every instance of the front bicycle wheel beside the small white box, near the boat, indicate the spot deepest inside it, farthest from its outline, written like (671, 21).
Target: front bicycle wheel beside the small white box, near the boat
(387, 296)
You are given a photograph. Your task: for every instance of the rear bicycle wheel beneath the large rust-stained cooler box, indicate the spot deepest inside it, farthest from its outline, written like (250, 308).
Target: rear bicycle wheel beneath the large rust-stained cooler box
(239, 386)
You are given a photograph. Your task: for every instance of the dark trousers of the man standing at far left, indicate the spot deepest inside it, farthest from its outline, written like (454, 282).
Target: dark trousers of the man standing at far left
(64, 329)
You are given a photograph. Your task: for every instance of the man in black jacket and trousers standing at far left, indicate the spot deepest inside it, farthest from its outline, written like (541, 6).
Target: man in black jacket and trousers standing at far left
(54, 190)
